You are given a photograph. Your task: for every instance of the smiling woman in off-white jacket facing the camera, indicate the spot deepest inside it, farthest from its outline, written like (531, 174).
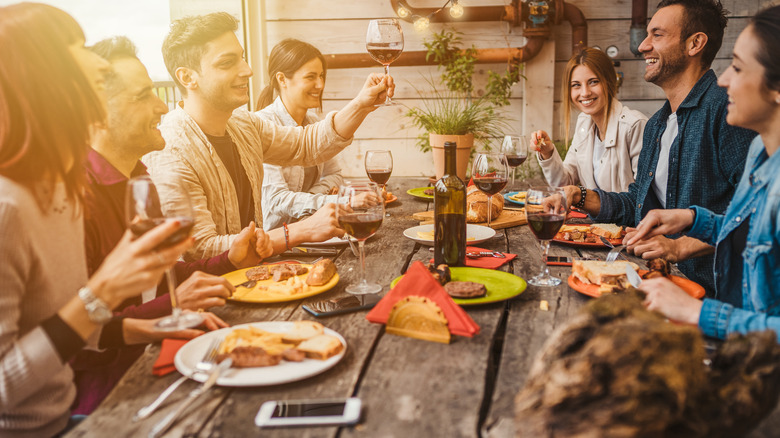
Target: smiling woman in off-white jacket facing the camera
(608, 136)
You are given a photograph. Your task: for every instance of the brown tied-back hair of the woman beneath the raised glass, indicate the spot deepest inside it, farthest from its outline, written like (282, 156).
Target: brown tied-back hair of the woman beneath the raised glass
(287, 57)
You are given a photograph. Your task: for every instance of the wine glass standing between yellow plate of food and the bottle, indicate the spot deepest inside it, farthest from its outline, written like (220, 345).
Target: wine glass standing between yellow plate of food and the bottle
(360, 213)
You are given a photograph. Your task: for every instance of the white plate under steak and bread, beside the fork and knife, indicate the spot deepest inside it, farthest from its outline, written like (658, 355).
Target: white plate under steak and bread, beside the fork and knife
(192, 352)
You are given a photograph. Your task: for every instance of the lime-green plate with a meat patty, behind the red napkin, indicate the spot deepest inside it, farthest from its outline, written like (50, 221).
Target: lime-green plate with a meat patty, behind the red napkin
(500, 285)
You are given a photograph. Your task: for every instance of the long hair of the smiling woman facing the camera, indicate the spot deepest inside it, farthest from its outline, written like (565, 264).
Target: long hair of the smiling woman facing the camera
(602, 67)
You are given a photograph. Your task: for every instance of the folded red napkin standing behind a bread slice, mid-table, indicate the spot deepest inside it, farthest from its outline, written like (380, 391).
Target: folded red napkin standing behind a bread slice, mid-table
(419, 282)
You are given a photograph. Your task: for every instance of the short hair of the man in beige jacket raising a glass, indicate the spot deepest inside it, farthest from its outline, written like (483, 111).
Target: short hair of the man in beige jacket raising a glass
(186, 42)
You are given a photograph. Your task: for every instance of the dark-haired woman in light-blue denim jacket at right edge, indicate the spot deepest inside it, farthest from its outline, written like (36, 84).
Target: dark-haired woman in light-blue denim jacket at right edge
(747, 236)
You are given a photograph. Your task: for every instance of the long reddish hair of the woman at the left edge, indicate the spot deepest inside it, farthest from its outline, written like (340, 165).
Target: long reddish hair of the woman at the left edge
(47, 103)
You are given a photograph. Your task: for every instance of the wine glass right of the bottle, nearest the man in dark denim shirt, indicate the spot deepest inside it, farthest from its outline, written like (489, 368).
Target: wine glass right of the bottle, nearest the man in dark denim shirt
(545, 209)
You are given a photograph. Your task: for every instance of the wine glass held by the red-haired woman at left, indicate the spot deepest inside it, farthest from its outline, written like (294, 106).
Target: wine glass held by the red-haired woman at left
(144, 212)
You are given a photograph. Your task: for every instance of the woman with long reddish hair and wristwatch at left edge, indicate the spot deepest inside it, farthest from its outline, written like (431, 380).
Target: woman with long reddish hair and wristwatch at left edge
(49, 309)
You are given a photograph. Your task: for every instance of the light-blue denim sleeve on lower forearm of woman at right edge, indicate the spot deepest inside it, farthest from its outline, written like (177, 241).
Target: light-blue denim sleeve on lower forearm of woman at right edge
(719, 319)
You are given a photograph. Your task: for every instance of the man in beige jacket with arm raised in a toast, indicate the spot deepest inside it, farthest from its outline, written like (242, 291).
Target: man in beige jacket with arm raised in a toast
(215, 150)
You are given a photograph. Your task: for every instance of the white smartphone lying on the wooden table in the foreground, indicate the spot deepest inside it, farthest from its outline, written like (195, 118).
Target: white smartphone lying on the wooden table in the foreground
(324, 412)
